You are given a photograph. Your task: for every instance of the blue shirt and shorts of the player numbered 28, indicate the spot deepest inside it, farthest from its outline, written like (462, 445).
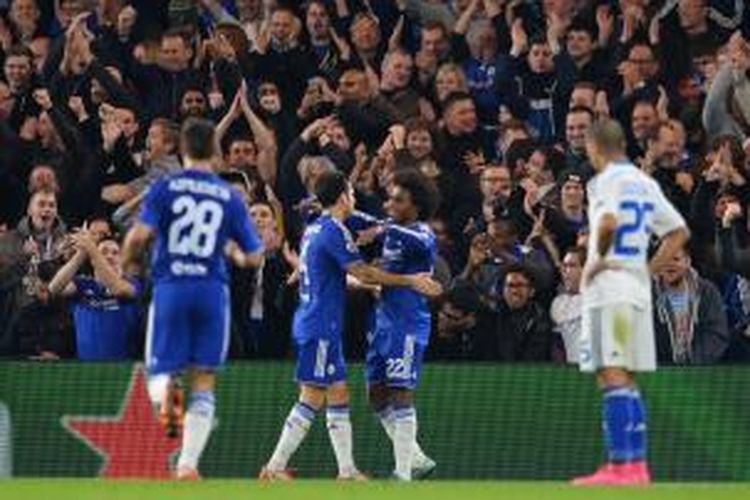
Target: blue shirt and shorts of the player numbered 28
(193, 213)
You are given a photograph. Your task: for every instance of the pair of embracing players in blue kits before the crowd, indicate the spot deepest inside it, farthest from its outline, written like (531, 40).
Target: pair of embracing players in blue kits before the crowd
(328, 253)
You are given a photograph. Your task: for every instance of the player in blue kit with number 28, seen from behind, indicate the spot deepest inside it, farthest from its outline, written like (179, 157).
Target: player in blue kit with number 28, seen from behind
(196, 222)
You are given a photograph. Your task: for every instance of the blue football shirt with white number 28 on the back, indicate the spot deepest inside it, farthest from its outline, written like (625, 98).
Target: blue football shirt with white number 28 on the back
(194, 214)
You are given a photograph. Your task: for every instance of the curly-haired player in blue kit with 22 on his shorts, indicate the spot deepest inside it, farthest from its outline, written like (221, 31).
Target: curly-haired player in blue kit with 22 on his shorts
(403, 321)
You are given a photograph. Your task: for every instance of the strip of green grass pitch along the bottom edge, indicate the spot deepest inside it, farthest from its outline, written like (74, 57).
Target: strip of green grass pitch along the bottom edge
(70, 489)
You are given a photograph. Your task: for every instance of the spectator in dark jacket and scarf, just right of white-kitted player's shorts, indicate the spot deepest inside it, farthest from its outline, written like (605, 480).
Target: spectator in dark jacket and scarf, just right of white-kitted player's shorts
(689, 316)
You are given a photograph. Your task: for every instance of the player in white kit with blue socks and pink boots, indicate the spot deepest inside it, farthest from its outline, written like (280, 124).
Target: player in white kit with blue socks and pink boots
(626, 210)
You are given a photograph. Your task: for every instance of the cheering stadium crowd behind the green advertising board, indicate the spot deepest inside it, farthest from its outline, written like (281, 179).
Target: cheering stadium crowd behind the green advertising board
(492, 99)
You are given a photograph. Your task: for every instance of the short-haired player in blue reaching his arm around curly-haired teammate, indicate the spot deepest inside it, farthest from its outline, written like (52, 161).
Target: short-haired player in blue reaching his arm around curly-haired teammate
(328, 253)
